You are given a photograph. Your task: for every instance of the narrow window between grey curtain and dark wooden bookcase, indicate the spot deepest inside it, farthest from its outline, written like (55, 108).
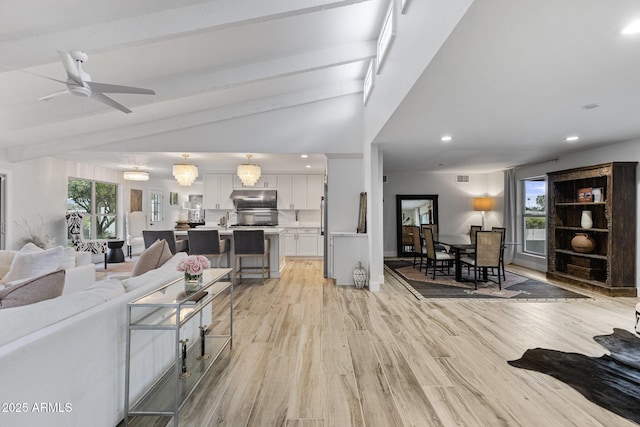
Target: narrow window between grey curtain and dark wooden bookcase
(535, 216)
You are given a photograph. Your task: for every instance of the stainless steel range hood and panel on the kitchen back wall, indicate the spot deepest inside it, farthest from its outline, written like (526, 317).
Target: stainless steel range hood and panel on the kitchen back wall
(256, 207)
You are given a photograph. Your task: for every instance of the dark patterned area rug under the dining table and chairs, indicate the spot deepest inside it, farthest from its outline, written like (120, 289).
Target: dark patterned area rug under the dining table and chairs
(515, 287)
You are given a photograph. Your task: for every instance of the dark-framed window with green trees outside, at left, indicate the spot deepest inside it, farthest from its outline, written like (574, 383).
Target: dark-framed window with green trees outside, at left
(98, 202)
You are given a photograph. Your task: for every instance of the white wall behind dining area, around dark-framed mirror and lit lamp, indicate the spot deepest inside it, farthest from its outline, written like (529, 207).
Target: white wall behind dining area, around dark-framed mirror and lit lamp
(455, 201)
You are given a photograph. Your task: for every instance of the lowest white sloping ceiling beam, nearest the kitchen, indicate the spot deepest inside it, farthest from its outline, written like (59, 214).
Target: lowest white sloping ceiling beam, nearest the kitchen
(185, 121)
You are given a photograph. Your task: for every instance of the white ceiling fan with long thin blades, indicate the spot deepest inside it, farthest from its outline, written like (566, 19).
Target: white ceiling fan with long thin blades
(79, 82)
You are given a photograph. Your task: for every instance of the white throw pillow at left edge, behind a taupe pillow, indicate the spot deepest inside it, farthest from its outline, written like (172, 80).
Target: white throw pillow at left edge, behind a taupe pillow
(32, 264)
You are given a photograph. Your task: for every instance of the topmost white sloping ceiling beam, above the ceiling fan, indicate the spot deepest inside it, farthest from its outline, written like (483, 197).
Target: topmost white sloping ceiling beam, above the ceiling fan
(22, 52)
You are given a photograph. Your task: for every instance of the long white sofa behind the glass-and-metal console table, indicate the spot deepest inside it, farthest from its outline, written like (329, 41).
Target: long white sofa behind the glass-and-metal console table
(63, 360)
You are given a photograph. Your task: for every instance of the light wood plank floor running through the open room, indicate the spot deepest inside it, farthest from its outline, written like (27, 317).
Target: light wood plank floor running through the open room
(308, 353)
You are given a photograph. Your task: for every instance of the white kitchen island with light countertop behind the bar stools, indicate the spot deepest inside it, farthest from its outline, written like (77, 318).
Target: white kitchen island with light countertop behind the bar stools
(275, 235)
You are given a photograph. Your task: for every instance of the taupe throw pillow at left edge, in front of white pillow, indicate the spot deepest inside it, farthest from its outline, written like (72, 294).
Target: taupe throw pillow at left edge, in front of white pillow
(33, 290)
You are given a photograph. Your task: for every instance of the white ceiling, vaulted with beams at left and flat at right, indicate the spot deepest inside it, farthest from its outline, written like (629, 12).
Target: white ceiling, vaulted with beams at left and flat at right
(280, 78)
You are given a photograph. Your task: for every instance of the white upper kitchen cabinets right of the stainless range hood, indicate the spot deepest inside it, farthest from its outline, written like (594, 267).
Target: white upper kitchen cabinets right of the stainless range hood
(299, 191)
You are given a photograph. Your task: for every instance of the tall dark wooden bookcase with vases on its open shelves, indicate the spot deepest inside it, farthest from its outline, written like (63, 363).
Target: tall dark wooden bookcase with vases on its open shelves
(592, 227)
